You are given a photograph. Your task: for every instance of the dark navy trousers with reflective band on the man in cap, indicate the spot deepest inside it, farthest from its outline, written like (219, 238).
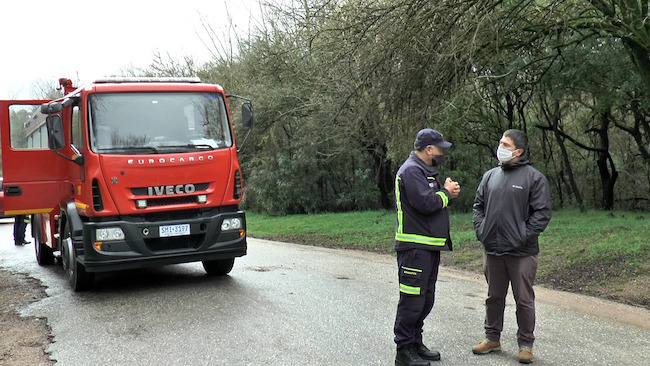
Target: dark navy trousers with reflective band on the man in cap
(418, 273)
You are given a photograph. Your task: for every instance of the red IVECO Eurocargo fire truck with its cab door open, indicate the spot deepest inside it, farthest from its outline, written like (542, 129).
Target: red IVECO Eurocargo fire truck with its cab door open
(127, 173)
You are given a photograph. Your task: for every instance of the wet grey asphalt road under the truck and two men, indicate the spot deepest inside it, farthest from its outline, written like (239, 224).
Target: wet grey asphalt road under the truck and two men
(286, 304)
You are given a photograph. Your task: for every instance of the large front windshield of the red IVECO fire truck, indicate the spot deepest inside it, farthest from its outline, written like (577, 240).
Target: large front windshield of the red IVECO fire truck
(146, 123)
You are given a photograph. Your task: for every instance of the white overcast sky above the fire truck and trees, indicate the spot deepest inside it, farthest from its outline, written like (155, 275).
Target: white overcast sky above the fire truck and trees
(44, 40)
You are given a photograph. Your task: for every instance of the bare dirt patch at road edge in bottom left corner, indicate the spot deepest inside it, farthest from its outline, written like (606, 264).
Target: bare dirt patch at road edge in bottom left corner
(23, 340)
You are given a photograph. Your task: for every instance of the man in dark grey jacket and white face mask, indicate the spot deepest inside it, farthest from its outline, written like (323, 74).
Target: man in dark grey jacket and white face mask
(511, 208)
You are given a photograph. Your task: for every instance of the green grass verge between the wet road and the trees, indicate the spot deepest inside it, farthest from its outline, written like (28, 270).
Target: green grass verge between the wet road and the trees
(578, 249)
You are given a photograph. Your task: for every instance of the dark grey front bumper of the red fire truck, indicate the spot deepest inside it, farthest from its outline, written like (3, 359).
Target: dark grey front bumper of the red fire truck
(144, 247)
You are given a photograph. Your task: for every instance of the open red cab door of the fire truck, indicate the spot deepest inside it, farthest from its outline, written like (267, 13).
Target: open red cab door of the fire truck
(36, 179)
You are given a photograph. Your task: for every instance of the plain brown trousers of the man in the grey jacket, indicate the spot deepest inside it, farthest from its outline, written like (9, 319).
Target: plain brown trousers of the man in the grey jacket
(500, 272)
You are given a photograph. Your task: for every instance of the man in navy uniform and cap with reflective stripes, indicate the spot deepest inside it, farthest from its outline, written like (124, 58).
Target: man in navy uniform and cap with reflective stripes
(422, 232)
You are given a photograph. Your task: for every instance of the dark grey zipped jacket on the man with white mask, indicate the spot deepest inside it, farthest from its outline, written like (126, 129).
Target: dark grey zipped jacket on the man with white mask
(511, 208)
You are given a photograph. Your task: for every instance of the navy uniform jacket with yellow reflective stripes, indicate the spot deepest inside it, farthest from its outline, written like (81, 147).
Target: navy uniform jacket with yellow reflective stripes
(421, 200)
